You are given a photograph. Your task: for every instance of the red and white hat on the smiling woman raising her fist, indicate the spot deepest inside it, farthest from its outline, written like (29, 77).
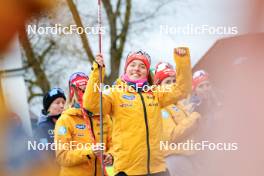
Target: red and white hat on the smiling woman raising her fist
(138, 55)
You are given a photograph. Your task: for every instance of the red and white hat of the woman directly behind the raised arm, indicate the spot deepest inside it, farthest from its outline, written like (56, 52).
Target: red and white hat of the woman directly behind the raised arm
(162, 71)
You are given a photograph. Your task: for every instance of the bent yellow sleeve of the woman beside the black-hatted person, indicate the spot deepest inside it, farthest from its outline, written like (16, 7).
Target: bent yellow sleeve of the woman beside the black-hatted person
(65, 155)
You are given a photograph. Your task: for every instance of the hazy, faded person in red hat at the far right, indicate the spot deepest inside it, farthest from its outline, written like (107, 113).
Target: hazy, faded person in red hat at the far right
(205, 101)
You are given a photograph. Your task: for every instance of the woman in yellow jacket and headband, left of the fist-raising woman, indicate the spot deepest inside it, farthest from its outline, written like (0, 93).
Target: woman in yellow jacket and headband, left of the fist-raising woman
(75, 136)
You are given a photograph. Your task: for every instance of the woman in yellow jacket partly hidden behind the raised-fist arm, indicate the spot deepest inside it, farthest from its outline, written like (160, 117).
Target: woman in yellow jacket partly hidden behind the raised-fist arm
(178, 126)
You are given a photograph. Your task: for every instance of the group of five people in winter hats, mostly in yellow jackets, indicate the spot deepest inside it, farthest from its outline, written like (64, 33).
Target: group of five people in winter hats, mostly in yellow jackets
(135, 119)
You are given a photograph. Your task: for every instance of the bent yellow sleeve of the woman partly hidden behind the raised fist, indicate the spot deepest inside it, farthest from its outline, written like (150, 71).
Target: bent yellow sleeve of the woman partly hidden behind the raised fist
(185, 125)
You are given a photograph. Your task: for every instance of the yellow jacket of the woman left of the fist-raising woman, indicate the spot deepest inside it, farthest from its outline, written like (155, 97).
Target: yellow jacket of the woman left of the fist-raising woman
(79, 160)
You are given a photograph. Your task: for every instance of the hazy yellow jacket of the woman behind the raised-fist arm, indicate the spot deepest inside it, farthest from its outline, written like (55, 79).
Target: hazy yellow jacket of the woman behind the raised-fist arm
(178, 126)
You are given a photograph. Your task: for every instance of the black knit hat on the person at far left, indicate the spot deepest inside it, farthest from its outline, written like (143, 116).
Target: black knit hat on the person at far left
(50, 96)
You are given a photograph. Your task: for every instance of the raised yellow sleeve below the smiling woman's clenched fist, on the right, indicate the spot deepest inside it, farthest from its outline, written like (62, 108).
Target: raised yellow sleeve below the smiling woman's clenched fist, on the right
(183, 85)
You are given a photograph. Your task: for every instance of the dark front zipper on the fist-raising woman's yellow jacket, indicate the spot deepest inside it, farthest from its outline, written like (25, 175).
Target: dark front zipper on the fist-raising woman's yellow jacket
(147, 131)
